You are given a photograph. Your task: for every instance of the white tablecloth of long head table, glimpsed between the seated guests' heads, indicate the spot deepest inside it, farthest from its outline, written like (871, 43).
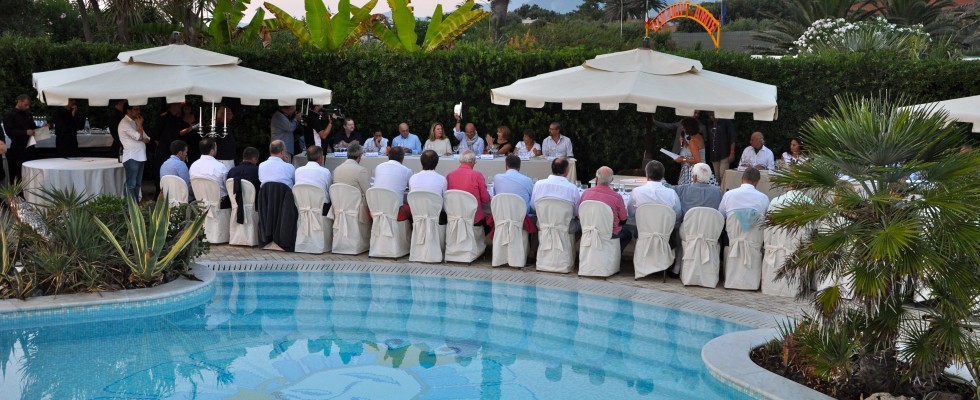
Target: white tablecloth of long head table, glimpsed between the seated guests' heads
(535, 168)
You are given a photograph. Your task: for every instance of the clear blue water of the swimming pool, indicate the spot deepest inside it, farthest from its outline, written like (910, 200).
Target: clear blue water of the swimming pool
(322, 335)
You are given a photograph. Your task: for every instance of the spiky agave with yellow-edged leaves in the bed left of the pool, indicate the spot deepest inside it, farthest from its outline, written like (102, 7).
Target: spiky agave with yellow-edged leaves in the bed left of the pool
(149, 260)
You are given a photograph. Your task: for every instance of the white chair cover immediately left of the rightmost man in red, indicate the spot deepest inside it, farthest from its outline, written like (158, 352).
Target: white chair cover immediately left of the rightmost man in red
(556, 243)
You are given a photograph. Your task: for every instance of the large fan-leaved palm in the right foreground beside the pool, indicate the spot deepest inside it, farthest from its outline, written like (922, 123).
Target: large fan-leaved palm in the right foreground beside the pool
(900, 233)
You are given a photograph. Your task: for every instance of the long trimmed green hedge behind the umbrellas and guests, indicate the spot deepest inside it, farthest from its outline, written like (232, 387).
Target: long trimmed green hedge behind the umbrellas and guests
(380, 88)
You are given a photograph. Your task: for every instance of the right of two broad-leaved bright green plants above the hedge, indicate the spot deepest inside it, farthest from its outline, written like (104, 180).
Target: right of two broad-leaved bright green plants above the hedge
(440, 33)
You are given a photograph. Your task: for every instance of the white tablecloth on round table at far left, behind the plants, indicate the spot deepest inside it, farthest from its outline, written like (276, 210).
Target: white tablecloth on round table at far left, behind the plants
(90, 176)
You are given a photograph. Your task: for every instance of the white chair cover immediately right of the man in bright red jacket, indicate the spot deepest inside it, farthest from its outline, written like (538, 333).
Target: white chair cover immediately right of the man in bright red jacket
(510, 244)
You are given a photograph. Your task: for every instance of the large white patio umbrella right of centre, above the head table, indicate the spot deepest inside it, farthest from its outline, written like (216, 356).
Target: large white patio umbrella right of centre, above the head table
(648, 79)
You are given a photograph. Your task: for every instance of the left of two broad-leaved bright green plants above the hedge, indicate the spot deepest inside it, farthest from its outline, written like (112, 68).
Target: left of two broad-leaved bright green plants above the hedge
(323, 31)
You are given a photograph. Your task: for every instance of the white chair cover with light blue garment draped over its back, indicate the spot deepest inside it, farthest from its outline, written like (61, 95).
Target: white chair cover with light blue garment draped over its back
(743, 255)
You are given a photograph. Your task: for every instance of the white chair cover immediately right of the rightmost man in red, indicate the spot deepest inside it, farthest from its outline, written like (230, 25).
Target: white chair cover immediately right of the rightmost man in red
(654, 224)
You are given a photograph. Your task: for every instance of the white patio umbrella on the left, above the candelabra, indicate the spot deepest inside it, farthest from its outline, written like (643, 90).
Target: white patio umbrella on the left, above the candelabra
(172, 72)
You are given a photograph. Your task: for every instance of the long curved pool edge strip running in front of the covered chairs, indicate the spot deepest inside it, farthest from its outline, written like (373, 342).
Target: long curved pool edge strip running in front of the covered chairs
(727, 312)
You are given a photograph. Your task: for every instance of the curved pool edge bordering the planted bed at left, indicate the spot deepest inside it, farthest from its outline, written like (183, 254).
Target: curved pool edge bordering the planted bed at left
(179, 294)
